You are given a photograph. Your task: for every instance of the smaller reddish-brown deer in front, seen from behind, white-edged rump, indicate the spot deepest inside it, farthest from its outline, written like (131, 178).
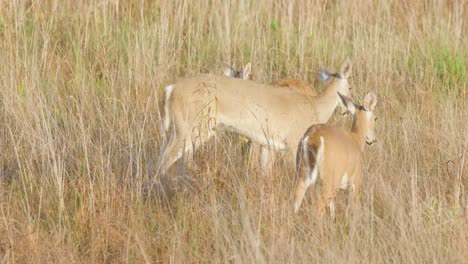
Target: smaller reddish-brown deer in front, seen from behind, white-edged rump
(334, 155)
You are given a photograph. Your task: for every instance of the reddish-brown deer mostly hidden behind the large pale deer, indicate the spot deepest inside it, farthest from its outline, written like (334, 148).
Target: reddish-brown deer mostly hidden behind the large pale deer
(256, 150)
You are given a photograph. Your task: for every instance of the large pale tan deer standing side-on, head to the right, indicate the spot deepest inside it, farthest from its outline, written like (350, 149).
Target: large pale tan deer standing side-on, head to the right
(274, 117)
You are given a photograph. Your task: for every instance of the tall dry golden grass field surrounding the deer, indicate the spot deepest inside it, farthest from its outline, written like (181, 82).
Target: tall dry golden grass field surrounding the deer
(80, 93)
